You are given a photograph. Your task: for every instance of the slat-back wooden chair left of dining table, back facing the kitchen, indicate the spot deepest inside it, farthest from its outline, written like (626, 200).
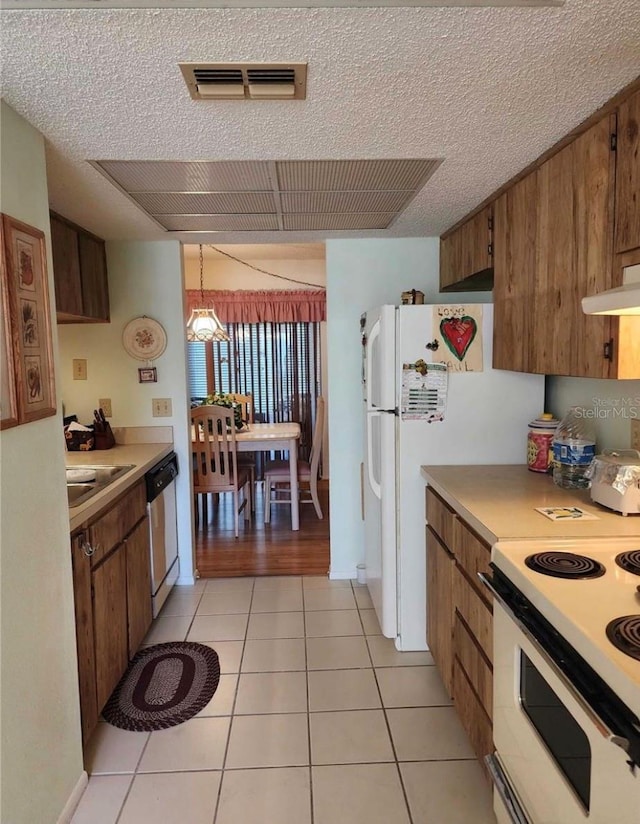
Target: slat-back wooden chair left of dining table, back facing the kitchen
(215, 459)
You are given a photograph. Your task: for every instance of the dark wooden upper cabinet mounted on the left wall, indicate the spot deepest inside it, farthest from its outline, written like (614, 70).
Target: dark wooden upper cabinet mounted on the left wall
(80, 273)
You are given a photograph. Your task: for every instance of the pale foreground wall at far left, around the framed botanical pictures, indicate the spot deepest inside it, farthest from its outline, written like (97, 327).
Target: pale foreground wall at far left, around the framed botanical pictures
(40, 714)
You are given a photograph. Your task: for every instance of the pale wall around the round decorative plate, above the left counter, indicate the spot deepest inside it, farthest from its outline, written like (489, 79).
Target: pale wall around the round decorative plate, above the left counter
(144, 279)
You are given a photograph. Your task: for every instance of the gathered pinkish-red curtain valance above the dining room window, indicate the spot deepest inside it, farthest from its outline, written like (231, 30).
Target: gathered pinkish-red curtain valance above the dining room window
(266, 306)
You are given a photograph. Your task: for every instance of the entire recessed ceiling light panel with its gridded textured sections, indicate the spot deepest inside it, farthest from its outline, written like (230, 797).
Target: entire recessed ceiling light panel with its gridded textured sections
(258, 196)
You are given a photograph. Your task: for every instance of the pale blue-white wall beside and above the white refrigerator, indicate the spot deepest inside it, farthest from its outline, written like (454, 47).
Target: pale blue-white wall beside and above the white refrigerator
(362, 274)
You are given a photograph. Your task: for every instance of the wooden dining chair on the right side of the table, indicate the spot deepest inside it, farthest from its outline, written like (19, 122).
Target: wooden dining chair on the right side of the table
(277, 476)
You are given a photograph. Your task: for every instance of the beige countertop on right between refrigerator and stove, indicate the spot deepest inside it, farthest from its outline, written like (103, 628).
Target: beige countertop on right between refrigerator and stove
(499, 502)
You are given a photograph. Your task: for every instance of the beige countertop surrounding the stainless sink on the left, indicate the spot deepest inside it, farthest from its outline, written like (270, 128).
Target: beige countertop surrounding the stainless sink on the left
(141, 455)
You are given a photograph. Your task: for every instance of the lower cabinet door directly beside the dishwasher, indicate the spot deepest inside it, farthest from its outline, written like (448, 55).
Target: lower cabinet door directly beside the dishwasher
(138, 585)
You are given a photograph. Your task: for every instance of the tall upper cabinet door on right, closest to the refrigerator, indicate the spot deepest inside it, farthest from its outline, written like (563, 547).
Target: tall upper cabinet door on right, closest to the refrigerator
(514, 266)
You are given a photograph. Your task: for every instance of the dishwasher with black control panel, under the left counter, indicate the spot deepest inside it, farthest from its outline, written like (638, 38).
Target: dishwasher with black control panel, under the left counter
(163, 528)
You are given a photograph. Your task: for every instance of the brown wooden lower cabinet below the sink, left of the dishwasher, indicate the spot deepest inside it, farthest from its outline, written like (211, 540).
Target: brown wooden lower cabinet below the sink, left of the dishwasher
(112, 591)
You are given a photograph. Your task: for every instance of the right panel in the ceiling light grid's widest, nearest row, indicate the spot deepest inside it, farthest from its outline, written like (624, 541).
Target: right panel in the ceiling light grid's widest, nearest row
(353, 175)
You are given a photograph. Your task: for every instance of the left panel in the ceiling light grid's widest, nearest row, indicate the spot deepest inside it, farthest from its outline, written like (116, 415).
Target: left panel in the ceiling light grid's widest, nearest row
(186, 176)
